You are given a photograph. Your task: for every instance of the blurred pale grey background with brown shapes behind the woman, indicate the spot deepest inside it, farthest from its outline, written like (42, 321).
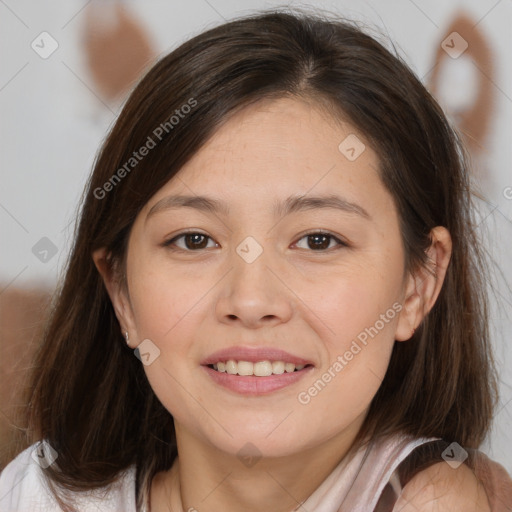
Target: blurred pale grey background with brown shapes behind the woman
(68, 65)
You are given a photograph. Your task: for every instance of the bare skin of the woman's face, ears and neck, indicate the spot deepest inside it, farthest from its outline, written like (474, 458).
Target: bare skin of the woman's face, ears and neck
(310, 301)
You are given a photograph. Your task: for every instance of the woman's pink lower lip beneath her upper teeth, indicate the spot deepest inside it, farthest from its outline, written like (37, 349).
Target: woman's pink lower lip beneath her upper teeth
(251, 385)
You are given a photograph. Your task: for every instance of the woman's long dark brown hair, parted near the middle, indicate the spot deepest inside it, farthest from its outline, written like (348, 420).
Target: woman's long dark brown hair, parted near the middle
(91, 399)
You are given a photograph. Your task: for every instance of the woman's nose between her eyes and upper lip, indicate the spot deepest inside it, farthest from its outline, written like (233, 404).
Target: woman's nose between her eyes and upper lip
(254, 293)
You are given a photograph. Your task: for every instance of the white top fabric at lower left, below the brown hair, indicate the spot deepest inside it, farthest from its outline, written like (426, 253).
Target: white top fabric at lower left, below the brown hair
(23, 486)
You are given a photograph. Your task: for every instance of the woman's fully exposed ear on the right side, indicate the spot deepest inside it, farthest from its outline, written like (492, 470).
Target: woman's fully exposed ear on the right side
(422, 288)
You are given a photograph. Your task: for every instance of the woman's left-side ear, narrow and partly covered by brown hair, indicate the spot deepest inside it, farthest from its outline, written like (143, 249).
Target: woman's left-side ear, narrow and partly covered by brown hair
(117, 293)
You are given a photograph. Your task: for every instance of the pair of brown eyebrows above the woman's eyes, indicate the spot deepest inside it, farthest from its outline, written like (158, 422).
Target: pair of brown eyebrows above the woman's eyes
(290, 205)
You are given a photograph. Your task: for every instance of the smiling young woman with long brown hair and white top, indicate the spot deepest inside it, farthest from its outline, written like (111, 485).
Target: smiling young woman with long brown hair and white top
(275, 300)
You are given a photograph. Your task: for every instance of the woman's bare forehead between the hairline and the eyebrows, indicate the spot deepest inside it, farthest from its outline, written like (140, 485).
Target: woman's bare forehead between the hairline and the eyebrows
(275, 149)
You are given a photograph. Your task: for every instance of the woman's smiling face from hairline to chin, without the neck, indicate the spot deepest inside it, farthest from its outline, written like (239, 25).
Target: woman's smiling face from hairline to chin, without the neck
(294, 258)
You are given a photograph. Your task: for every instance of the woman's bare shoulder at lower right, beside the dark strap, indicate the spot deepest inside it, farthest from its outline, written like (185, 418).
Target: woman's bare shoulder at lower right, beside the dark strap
(441, 488)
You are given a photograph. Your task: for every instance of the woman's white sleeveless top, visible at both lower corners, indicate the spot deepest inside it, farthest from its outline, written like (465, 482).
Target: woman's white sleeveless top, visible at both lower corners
(355, 484)
